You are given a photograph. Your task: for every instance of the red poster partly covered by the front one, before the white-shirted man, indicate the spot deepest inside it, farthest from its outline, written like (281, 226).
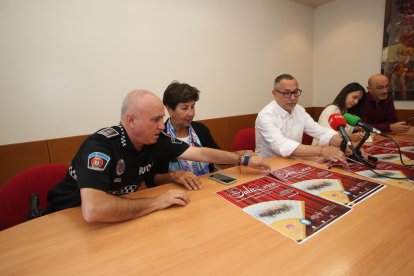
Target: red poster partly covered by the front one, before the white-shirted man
(333, 186)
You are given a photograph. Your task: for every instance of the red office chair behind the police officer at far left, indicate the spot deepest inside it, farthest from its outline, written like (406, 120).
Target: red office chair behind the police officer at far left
(15, 194)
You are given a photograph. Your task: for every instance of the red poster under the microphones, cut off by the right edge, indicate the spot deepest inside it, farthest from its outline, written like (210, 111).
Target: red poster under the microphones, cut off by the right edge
(388, 173)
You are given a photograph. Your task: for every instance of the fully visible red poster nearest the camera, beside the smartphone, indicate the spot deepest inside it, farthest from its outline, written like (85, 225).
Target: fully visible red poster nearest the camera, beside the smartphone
(292, 212)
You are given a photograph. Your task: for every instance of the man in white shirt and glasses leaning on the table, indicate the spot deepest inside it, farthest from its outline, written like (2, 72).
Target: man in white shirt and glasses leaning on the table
(281, 124)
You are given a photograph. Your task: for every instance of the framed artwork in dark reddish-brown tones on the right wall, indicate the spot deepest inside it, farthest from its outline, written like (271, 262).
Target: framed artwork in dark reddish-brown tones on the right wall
(398, 48)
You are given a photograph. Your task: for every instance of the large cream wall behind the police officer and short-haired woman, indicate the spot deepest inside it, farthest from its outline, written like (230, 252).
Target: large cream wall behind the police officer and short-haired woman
(66, 65)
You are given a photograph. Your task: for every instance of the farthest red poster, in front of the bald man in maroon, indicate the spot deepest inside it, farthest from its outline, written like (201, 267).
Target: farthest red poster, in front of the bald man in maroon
(390, 155)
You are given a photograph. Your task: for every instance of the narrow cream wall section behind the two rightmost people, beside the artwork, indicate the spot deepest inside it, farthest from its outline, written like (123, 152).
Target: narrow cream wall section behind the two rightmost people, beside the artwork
(347, 47)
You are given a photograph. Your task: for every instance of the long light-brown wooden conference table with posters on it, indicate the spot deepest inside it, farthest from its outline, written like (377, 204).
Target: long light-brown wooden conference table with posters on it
(210, 236)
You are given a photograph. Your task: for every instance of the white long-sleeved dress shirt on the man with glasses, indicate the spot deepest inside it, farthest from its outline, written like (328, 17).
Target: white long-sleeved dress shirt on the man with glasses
(279, 132)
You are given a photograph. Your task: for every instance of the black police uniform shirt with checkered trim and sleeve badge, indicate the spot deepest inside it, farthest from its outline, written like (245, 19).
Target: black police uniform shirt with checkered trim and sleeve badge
(109, 162)
